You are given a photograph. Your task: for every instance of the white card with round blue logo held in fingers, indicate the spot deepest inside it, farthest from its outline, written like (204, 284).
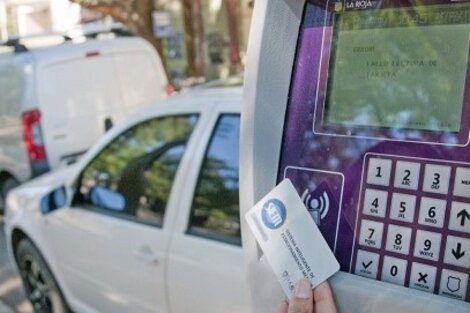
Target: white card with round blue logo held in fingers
(290, 239)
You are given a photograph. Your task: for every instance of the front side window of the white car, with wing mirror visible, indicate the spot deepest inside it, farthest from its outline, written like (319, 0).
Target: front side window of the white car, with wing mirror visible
(133, 175)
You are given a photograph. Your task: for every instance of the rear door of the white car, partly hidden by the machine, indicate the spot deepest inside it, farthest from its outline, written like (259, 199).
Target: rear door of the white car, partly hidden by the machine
(205, 265)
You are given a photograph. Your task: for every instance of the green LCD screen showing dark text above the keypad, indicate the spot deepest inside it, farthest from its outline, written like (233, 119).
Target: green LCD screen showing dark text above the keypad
(400, 68)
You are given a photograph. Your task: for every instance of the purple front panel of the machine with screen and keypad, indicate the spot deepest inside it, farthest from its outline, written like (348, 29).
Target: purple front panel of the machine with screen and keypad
(376, 138)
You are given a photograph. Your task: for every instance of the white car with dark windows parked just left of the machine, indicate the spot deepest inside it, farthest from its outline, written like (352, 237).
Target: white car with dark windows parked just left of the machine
(147, 221)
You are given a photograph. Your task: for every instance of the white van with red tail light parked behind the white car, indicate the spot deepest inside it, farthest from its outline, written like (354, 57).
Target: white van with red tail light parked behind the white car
(55, 102)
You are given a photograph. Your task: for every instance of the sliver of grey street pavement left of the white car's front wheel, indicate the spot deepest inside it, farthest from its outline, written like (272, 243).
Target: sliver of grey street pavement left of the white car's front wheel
(12, 297)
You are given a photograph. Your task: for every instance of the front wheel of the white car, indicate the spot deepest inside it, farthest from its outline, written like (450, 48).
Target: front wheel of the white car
(41, 288)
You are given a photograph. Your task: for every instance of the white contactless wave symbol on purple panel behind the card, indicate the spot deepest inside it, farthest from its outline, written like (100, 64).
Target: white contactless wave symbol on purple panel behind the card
(319, 202)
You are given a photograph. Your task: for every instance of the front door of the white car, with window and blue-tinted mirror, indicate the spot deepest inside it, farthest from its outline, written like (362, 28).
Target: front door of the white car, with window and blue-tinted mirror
(113, 242)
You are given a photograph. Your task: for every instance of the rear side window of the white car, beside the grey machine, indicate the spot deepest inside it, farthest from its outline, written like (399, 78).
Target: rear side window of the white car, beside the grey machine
(215, 208)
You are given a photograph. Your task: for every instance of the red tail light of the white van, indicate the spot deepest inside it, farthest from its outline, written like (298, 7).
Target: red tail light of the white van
(33, 136)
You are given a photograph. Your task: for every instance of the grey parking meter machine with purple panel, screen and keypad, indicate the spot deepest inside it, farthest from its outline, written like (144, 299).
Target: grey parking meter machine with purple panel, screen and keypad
(365, 107)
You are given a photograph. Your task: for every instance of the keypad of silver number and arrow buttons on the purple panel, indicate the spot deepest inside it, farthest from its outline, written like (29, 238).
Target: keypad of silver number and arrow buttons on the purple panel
(414, 224)
